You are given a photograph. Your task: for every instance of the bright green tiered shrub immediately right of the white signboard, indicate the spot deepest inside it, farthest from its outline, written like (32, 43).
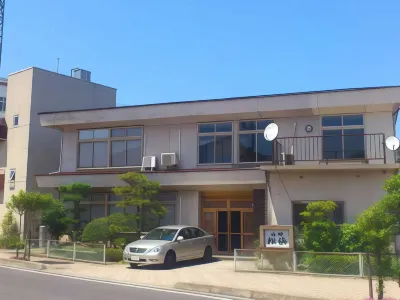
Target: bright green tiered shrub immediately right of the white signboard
(320, 232)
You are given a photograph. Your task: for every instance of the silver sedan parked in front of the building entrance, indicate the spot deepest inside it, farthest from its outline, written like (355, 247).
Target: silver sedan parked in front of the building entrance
(169, 244)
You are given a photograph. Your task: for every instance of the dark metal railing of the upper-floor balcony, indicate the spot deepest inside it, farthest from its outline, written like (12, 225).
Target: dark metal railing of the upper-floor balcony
(329, 148)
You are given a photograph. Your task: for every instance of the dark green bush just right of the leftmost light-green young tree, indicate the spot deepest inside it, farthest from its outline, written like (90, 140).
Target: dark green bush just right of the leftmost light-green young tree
(56, 219)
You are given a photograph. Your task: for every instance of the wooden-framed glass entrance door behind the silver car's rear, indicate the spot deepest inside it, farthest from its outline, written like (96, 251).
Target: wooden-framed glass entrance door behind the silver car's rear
(230, 221)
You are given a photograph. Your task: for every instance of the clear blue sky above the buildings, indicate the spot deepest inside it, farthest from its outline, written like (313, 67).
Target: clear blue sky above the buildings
(176, 50)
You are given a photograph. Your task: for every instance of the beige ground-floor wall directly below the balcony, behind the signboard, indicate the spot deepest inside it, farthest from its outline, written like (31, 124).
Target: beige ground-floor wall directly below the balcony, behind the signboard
(358, 190)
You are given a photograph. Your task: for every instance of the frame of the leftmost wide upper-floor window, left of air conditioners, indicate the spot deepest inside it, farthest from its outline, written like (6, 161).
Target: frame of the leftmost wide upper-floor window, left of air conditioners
(109, 139)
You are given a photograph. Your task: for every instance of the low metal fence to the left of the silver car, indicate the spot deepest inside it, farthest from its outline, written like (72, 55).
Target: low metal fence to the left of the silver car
(94, 253)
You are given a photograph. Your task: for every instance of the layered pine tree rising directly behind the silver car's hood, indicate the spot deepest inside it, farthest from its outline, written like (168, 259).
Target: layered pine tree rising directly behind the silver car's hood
(140, 192)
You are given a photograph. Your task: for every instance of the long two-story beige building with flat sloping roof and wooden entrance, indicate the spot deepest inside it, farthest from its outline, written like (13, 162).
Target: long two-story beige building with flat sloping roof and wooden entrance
(216, 169)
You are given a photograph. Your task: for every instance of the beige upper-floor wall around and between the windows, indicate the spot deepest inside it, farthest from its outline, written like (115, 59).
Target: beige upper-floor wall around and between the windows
(182, 139)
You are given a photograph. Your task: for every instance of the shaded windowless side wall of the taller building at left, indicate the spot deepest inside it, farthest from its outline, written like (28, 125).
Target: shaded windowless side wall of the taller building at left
(52, 91)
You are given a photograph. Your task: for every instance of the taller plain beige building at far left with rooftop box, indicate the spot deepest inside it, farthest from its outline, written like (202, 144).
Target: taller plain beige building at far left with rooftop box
(27, 147)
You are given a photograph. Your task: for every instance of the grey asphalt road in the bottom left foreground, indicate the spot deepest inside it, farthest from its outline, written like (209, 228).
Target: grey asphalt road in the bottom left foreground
(16, 284)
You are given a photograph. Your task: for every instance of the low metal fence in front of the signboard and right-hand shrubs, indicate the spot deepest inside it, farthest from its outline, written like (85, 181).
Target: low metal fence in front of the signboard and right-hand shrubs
(324, 263)
